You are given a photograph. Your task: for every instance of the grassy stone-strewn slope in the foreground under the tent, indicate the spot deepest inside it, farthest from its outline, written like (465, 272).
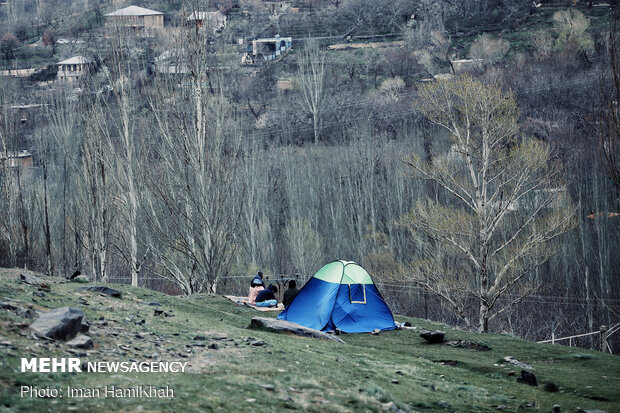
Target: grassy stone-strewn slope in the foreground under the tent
(394, 371)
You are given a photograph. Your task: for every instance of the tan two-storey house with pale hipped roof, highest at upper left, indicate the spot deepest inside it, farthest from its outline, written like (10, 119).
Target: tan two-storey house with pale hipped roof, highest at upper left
(140, 21)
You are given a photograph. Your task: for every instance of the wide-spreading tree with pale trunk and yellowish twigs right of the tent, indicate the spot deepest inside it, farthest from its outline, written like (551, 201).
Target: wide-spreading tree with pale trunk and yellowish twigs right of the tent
(501, 188)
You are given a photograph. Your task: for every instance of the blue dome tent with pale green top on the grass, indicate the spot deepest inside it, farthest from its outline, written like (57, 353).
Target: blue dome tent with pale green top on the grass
(340, 295)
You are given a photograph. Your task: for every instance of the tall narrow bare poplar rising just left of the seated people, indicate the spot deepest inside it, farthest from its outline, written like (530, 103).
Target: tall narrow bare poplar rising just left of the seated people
(196, 198)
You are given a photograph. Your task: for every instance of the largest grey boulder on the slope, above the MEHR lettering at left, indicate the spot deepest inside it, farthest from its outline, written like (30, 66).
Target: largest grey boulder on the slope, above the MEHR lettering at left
(59, 324)
